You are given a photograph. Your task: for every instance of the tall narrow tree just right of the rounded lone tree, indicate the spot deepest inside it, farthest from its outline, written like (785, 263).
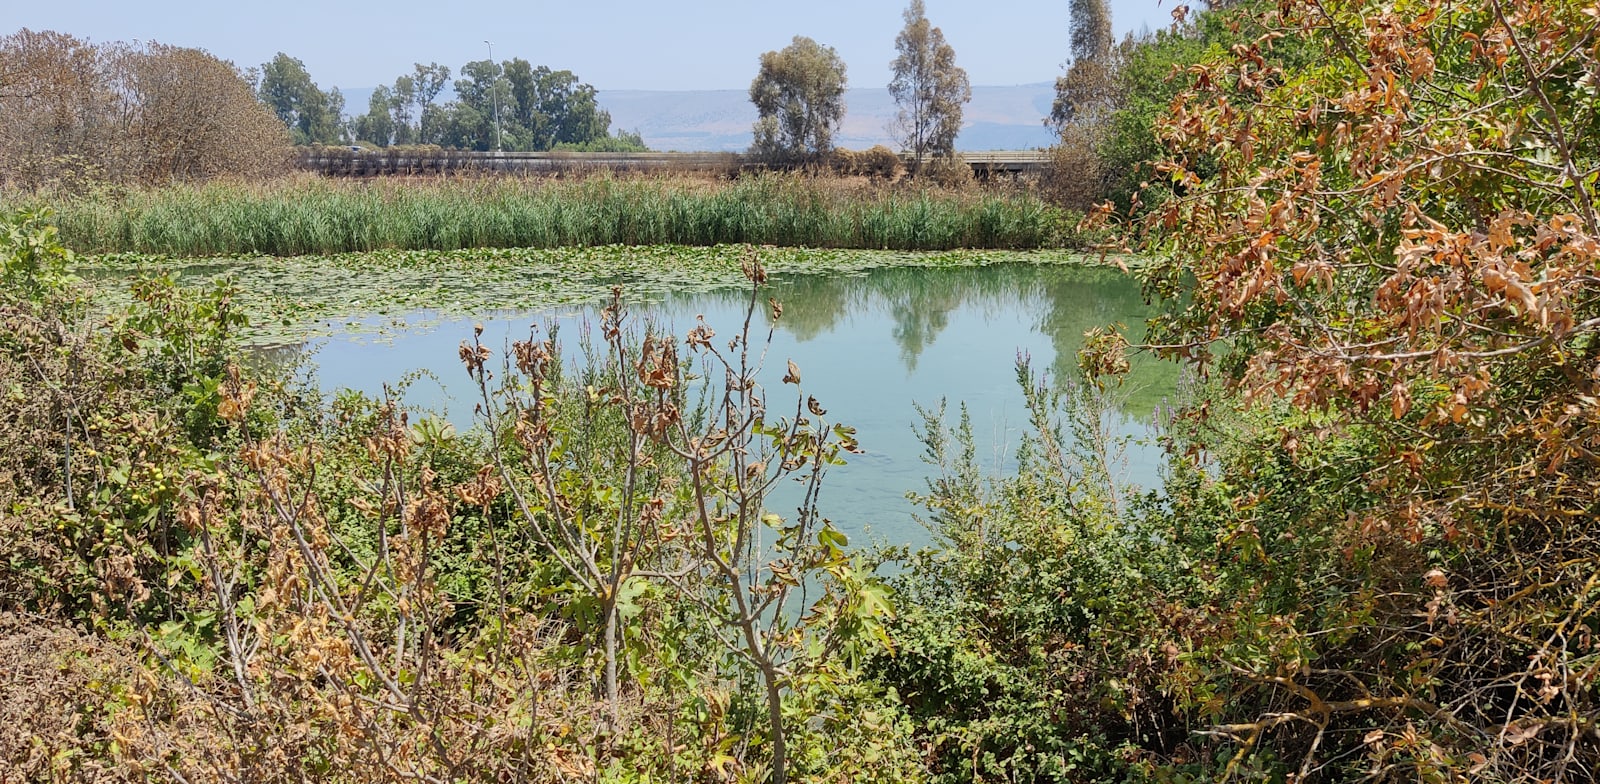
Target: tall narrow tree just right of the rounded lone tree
(929, 89)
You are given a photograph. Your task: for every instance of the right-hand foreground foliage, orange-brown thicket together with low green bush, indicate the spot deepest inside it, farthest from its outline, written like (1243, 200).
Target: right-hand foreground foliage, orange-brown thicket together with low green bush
(1375, 554)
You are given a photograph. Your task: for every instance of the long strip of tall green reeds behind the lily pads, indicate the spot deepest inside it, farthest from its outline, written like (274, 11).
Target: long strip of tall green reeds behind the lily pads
(313, 217)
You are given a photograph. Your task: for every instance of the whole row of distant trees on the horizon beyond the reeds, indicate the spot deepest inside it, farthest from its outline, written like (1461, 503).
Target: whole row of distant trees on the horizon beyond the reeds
(97, 110)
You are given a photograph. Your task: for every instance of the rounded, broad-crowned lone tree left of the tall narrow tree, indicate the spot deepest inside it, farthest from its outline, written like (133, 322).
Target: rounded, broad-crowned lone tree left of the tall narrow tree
(799, 95)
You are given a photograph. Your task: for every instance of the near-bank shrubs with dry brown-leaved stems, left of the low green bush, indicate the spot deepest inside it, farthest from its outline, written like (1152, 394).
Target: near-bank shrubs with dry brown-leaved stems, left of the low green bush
(217, 578)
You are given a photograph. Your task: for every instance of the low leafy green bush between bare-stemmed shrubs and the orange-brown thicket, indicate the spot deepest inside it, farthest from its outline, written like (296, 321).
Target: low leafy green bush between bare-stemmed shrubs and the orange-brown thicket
(1034, 644)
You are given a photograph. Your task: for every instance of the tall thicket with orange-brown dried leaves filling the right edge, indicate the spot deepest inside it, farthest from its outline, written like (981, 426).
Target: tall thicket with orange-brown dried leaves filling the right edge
(1399, 241)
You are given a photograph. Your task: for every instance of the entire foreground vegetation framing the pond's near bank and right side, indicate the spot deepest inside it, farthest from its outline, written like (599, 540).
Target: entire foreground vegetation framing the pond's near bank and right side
(1375, 242)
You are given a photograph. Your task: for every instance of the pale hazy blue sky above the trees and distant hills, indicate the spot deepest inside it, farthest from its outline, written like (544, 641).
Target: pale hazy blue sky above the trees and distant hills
(610, 44)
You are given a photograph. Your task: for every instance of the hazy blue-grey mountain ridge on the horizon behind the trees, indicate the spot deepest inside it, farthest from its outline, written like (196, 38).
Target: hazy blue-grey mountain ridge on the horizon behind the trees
(719, 121)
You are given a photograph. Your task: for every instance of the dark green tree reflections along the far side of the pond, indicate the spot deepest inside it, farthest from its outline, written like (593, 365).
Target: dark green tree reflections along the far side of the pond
(921, 302)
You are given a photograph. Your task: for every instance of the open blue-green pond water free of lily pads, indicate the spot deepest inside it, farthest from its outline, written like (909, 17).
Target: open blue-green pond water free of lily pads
(870, 346)
